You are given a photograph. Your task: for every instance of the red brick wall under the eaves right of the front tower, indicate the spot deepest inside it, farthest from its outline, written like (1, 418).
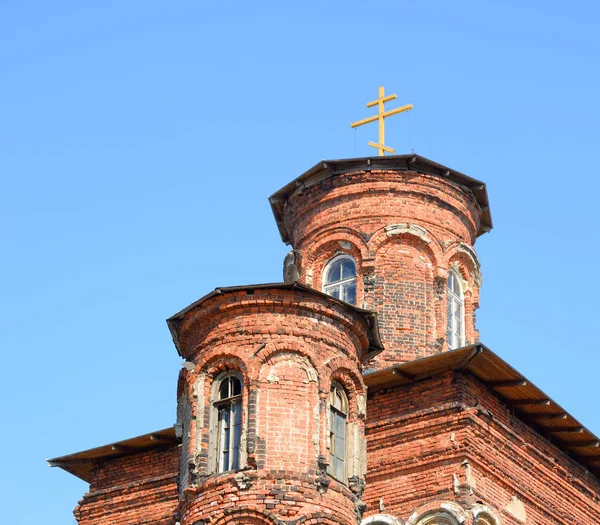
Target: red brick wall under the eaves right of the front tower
(448, 438)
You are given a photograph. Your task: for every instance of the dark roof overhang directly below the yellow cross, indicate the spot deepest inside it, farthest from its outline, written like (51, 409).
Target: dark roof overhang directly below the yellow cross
(410, 162)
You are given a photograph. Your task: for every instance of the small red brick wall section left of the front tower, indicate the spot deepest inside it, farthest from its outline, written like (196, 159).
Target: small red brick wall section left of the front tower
(137, 489)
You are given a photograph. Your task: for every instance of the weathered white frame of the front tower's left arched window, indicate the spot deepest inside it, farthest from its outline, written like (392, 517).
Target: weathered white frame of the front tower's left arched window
(234, 405)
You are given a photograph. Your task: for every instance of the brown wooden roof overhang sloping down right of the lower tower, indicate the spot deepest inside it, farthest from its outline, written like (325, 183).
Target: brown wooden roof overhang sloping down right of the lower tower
(521, 396)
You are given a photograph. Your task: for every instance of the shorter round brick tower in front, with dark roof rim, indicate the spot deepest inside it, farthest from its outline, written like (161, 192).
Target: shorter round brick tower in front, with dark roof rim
(273, 373)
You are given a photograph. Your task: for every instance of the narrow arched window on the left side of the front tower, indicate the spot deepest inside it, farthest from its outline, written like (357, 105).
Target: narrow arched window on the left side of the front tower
(227, 426)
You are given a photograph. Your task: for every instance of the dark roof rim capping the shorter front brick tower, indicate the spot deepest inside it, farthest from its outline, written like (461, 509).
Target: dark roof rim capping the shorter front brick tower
(375, 344)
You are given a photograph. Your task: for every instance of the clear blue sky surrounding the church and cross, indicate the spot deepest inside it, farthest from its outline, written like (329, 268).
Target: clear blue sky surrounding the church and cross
(139, 141)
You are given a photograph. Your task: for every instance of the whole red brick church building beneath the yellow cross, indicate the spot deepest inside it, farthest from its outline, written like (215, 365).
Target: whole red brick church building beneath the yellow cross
(356, 392)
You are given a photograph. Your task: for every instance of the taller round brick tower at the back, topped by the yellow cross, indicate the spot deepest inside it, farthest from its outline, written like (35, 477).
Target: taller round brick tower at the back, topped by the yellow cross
(394, 235)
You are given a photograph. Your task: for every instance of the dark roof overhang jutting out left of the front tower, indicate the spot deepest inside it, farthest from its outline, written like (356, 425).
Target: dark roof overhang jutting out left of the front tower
(81, 464)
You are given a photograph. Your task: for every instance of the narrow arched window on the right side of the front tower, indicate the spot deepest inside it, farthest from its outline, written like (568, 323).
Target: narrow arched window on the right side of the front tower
(338, 419)
